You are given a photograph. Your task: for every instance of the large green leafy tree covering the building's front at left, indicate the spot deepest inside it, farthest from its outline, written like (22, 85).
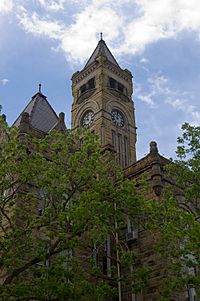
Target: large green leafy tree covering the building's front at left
(60, 200)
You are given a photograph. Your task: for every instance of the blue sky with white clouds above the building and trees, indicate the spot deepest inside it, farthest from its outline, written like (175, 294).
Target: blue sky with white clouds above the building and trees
(46, 41)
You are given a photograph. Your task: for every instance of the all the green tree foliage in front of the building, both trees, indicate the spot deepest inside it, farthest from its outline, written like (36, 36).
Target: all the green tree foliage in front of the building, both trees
(60, 200)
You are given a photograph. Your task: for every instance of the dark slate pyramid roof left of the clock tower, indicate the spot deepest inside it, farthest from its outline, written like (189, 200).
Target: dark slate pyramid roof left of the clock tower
(41, 114)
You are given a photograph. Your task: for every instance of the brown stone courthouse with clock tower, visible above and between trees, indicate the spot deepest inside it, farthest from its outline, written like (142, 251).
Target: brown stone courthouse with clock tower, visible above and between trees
(102, 101)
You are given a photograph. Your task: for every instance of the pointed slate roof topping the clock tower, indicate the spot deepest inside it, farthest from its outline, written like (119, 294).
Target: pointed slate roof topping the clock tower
(103, 49)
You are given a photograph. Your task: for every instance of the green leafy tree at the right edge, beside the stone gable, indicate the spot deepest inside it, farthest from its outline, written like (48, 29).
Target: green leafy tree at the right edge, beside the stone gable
(177, 219)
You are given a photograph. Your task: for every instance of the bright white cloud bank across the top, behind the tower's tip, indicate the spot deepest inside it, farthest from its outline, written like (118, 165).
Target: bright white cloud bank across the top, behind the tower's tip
(130, 24)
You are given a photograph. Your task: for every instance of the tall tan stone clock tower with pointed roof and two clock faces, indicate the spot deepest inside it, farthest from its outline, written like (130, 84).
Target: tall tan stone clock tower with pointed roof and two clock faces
(102, 102)
